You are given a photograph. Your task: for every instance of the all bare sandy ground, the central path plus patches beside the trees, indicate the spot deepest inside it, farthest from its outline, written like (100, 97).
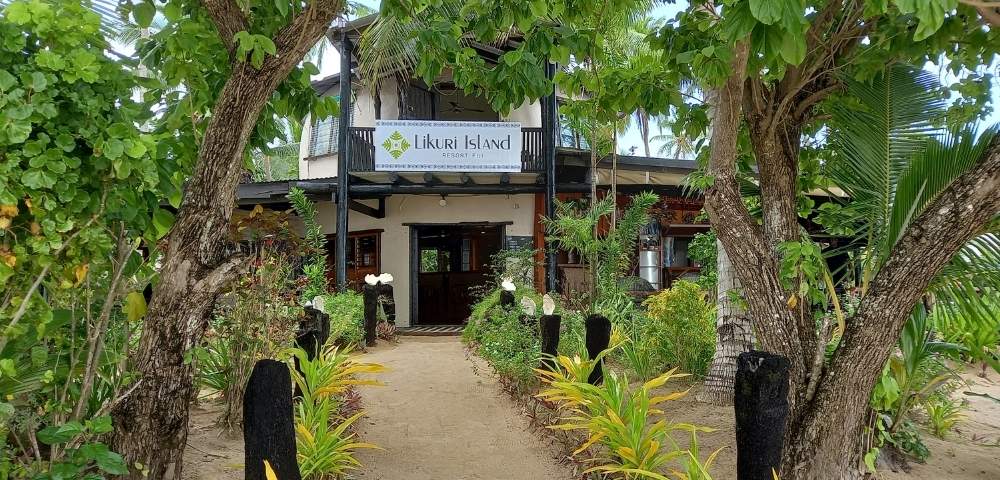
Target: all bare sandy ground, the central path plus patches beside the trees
(441, 415)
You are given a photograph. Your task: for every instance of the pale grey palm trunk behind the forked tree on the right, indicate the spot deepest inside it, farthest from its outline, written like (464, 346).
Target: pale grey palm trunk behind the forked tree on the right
(734, 335)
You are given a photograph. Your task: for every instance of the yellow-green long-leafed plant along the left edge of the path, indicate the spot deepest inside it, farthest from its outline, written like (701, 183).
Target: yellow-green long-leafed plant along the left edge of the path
(325, 446)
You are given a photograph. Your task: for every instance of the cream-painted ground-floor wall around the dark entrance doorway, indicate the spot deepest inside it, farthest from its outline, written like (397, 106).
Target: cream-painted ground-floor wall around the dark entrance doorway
(401, 209)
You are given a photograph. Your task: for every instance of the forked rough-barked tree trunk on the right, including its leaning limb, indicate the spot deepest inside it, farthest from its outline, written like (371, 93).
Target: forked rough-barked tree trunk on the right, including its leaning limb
(827, 406)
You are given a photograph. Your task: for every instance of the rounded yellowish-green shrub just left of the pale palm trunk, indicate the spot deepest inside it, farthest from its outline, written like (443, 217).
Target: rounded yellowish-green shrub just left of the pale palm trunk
(681, 327)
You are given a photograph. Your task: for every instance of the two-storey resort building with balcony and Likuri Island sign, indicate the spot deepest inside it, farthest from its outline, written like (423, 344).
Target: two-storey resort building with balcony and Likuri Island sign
(428, 183)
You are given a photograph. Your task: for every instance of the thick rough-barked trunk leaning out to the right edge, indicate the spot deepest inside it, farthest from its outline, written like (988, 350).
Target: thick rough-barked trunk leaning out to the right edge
(826, 434)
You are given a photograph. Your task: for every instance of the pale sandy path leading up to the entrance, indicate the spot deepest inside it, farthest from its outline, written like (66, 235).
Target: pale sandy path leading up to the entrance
(437, 419)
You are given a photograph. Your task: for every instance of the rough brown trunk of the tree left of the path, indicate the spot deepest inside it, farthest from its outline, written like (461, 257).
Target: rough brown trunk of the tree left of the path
(151, 425)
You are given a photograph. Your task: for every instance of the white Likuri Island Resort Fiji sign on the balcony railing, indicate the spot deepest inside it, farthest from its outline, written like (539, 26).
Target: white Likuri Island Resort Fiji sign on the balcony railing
(433, 146)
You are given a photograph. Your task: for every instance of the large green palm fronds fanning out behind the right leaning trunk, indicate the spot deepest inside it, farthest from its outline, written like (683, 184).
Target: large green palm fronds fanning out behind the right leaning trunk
(892, 159)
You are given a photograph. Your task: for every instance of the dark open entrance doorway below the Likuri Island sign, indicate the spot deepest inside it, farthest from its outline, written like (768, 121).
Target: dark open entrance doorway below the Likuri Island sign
(446, 261)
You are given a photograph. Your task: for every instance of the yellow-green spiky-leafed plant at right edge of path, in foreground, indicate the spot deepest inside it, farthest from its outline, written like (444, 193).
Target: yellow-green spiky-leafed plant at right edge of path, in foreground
(617, 417)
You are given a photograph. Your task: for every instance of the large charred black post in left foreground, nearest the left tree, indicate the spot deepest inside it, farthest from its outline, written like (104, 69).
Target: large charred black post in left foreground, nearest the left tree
(268, 422)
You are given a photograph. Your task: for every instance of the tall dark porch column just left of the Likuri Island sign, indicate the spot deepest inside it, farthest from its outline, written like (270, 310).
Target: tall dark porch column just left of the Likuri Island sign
(343, 156)
